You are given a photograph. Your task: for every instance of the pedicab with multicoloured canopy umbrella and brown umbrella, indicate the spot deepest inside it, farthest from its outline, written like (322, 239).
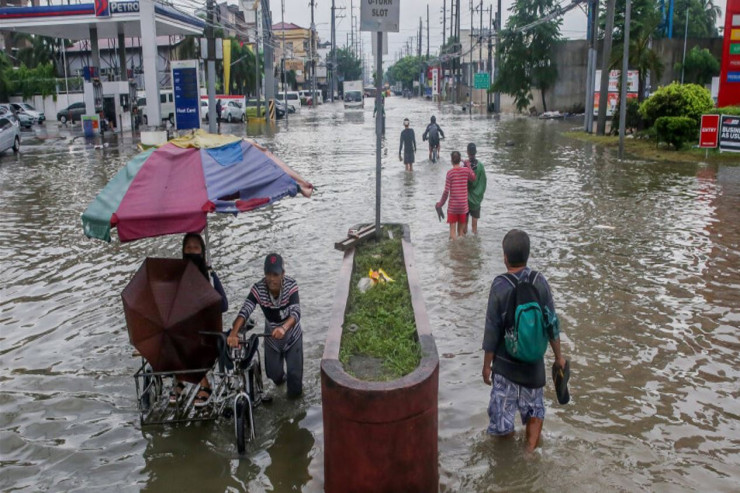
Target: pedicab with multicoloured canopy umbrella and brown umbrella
(172, 312)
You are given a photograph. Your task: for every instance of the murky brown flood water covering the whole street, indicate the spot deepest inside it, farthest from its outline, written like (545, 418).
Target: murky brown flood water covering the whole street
(643, 260)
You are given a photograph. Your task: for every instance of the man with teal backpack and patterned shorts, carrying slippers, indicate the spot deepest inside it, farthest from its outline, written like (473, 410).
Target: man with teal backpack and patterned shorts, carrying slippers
(520, 322)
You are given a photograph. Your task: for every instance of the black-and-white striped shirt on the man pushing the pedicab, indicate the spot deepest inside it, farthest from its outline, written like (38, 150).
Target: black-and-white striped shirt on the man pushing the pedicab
(276, 310)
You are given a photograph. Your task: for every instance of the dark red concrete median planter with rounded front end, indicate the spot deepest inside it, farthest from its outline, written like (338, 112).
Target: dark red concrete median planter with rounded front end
(380, 436)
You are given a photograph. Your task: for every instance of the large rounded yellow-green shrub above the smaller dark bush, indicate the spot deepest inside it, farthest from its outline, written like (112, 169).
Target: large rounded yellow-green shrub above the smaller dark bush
(687, 100)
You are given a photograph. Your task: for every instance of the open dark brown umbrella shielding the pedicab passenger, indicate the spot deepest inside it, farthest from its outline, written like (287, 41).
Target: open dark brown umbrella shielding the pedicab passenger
(167, 303)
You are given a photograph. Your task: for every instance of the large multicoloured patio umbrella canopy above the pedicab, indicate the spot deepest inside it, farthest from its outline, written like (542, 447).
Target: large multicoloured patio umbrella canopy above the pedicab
(172, 188)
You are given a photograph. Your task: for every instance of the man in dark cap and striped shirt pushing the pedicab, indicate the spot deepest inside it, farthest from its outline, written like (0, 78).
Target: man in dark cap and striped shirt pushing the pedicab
(277, 295)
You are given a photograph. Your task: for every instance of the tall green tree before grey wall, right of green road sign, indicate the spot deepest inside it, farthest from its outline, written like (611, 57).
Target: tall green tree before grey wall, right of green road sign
(527, 60)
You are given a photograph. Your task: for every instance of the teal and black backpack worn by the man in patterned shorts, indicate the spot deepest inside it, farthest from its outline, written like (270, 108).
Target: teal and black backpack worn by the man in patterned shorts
(525, 323)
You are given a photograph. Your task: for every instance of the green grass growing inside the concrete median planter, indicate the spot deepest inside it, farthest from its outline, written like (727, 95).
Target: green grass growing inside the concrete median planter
(383, 314)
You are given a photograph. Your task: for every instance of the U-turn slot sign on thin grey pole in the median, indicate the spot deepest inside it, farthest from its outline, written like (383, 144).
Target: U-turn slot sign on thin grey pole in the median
(379, 16)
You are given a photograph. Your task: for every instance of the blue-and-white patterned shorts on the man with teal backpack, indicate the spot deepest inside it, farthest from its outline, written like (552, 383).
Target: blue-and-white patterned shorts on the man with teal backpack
(508, 397)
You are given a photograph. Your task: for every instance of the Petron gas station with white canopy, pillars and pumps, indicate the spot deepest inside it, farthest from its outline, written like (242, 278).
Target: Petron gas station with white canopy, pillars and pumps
(109, 19)
